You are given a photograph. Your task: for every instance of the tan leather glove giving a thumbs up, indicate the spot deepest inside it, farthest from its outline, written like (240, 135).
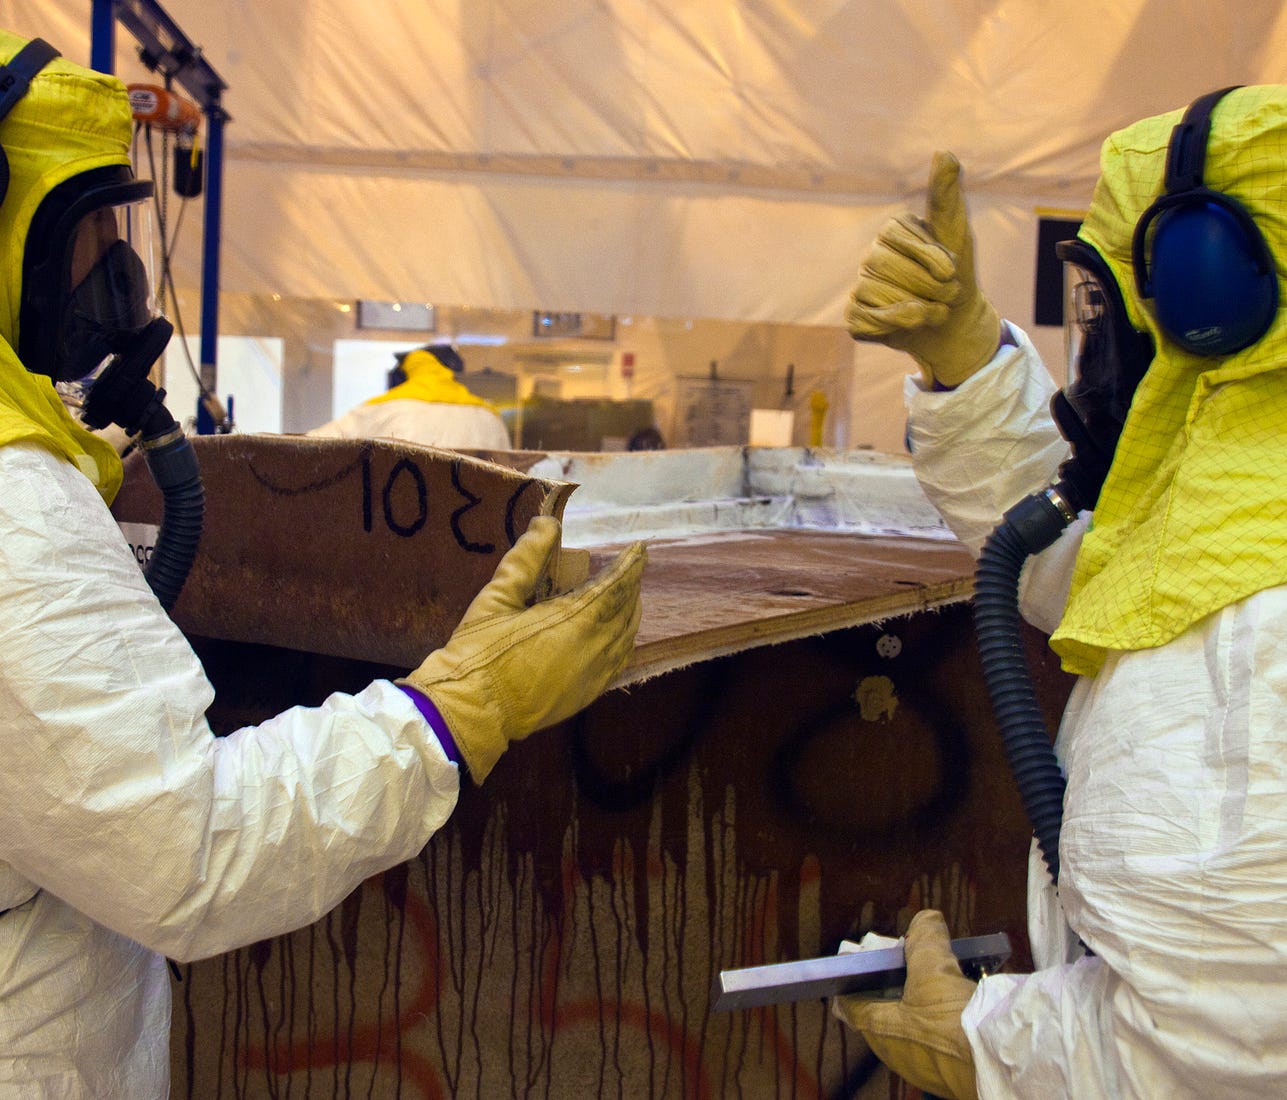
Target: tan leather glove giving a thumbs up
(917, 288)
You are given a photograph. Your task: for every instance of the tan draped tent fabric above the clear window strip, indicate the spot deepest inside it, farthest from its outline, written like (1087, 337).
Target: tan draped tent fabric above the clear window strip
(662, 158)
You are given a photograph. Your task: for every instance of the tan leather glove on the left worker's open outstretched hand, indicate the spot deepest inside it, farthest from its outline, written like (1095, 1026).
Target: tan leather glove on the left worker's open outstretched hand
(510, 670)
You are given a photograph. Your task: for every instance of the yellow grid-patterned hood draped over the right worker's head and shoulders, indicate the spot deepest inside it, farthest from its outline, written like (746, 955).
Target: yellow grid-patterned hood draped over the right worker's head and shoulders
(1194, 513)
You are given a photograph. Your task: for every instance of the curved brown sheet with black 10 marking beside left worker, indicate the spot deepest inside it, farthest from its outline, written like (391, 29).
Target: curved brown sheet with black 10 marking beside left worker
(369, 550)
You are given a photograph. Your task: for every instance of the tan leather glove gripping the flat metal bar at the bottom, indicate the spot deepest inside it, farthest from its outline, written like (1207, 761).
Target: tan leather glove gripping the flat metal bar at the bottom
(921, 1038)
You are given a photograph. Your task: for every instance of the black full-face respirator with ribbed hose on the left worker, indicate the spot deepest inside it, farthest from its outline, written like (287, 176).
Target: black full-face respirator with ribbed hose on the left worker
(89, 322)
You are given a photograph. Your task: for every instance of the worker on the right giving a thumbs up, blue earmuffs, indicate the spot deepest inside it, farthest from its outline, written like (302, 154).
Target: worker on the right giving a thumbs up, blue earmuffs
(1171, 605)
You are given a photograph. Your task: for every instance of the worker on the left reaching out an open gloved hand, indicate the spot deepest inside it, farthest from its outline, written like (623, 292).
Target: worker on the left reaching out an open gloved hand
(128, 832)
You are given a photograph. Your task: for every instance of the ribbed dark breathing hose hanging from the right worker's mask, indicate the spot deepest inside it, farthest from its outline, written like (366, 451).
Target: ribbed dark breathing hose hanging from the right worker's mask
(1026, 529)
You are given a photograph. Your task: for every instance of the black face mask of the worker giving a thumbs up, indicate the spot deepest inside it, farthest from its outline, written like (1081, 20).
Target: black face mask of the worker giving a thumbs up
(1107, 357)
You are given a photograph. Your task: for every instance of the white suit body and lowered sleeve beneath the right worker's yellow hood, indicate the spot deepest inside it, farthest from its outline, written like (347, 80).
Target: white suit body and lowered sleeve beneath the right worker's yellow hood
(1174, 859)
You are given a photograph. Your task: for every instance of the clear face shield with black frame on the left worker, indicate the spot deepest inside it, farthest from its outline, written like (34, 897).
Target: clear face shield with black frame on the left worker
(88, 276)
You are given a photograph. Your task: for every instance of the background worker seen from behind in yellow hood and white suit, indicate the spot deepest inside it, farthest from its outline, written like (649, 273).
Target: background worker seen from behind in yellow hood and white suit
(428, 405)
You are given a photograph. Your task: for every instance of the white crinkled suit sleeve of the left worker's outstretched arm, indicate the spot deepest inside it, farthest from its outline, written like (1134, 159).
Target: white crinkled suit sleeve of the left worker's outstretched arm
(116, 797)
